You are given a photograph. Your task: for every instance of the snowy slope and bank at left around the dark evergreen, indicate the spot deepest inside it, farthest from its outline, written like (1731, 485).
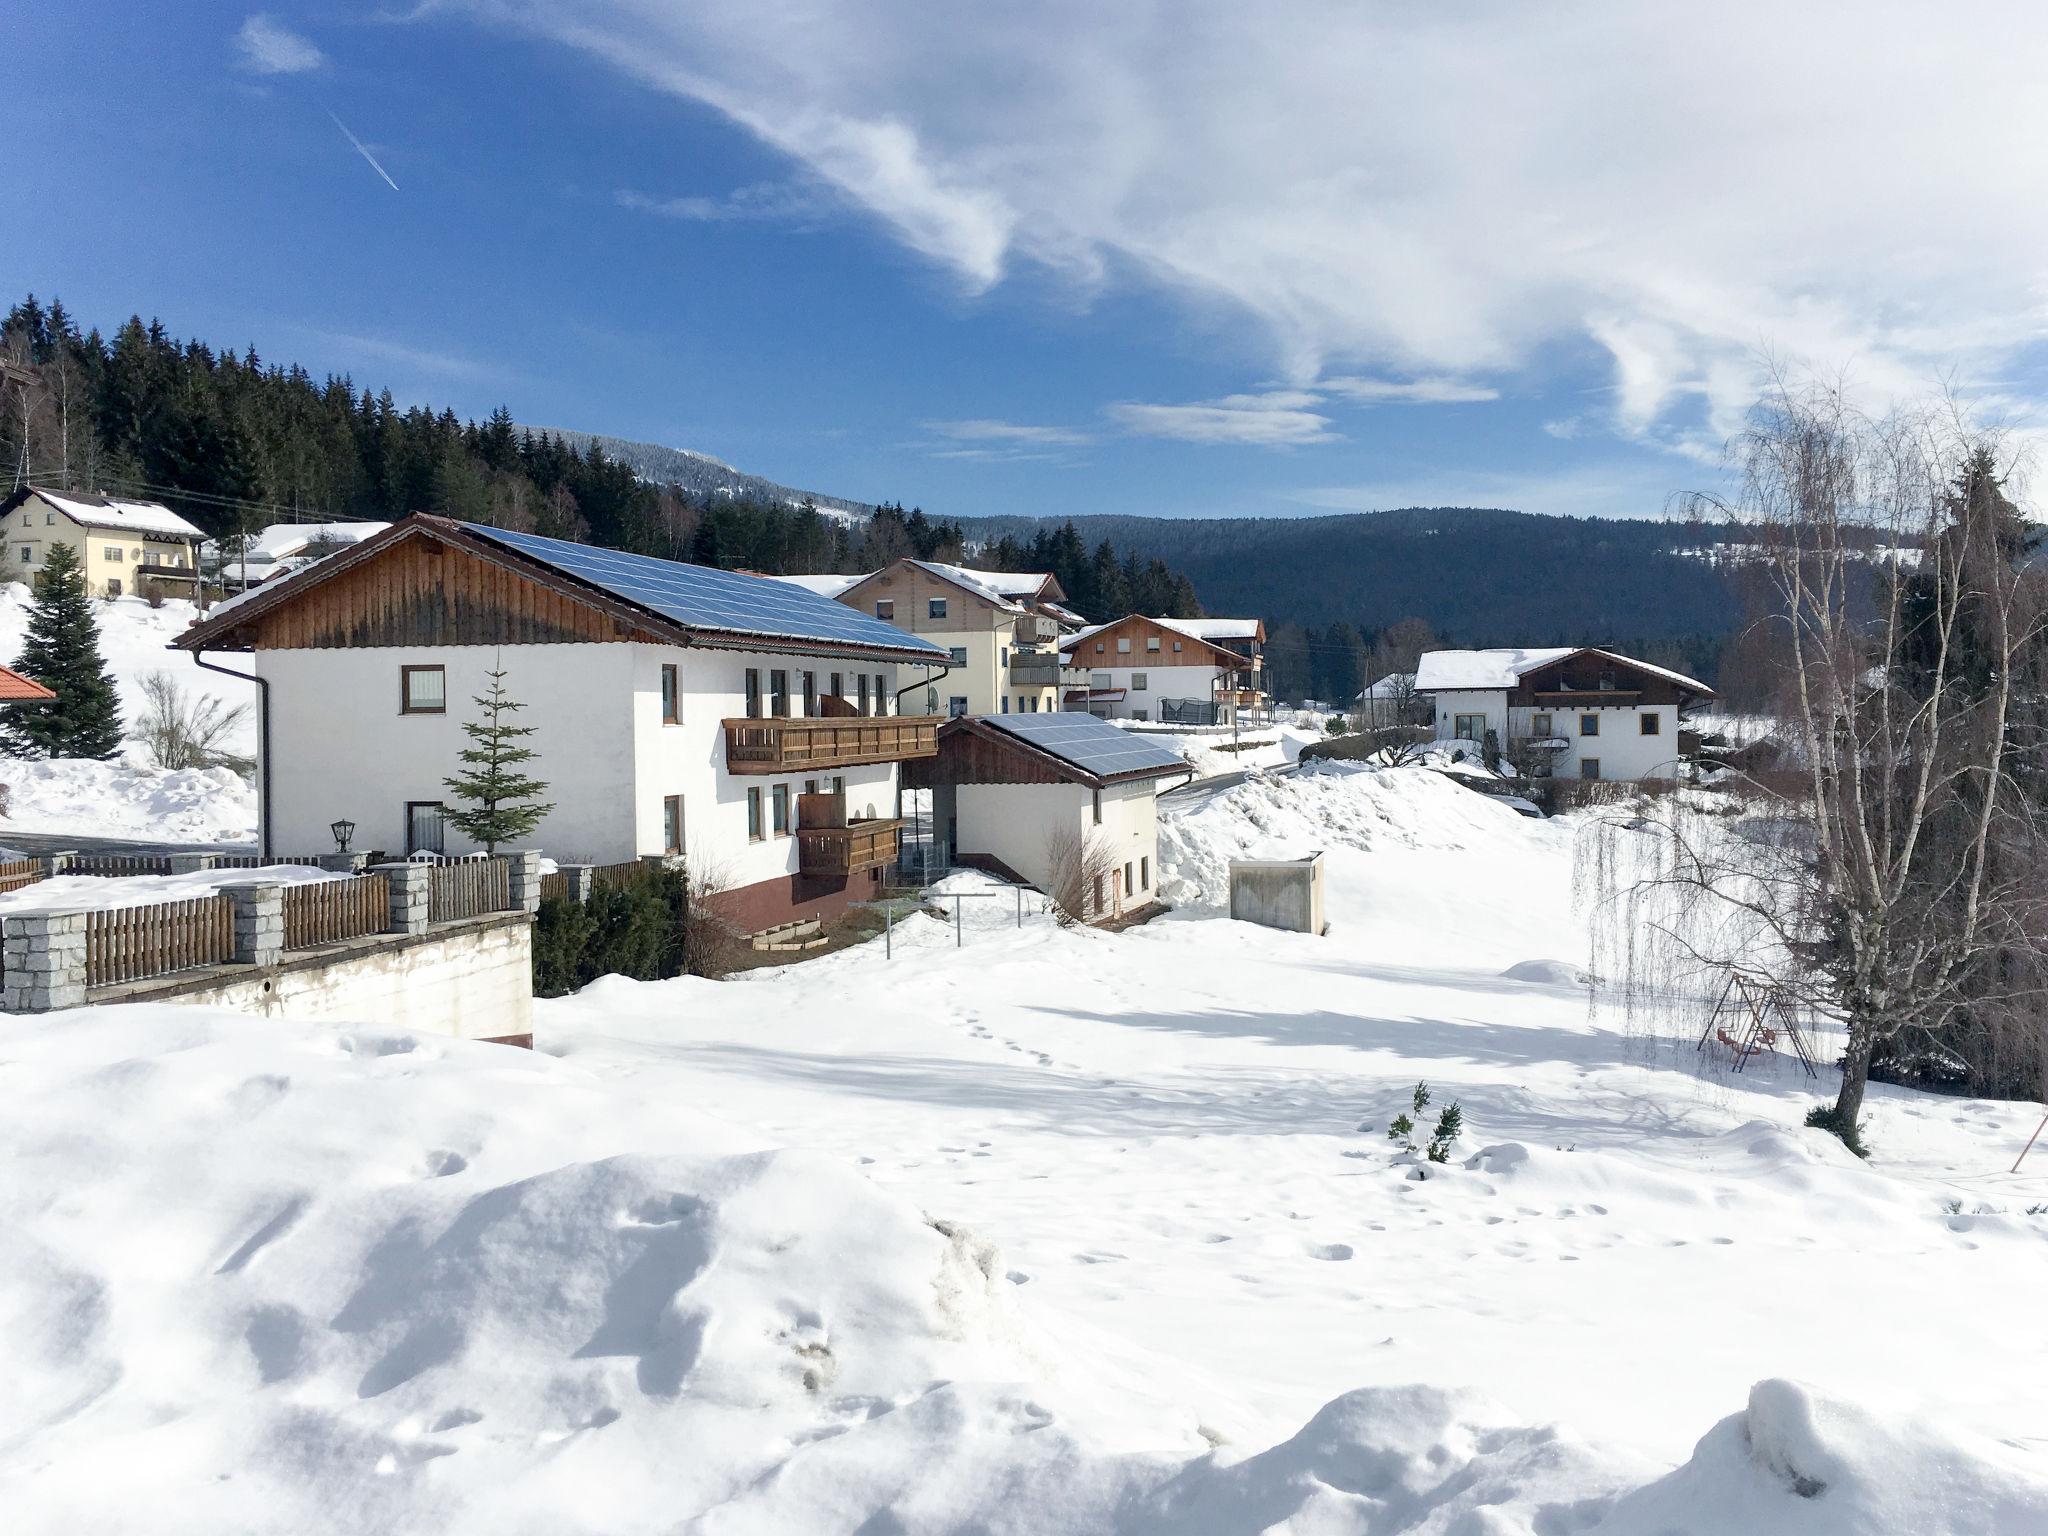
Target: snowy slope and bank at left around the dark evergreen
(130, 798)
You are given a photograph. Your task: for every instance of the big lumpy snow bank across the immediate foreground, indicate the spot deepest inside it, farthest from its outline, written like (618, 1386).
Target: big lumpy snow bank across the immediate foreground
(271, 1277)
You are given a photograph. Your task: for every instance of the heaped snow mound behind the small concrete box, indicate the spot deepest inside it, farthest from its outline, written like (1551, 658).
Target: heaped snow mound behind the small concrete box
(1320, 808)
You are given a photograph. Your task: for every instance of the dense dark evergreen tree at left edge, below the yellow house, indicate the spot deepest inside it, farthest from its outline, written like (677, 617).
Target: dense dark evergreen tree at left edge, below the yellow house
(62, 652)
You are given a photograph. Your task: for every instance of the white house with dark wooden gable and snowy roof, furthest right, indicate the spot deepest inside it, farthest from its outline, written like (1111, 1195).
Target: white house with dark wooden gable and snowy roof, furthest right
(1568, 712)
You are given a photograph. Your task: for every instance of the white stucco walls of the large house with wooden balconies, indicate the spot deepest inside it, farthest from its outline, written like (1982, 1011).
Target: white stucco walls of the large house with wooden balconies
(343, 749)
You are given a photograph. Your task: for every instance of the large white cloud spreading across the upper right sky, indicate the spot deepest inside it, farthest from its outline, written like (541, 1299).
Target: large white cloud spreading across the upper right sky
(1428, 191)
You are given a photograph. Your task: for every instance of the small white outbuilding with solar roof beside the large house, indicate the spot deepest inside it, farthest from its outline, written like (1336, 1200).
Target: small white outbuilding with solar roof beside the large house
(1062, 802)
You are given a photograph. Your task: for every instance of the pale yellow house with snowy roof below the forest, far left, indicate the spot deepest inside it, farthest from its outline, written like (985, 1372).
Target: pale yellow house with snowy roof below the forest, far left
(126, 548)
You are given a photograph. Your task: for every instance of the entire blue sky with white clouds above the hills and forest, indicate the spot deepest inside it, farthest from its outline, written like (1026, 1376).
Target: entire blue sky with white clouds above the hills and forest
(1072, 259)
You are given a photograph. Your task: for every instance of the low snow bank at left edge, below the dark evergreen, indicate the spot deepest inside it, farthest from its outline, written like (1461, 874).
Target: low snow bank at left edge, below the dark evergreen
(118, 800)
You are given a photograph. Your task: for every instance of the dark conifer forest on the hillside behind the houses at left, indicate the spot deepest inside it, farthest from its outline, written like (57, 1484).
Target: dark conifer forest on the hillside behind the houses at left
(237, 443)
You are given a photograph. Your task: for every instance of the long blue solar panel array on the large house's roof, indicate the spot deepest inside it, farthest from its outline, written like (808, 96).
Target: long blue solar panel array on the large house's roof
(712, 599)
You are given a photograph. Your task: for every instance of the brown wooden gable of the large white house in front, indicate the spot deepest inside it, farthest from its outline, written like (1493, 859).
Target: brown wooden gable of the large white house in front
(431, 593)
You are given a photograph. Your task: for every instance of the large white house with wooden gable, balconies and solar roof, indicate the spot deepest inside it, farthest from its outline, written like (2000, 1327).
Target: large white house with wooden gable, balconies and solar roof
(685, 712)
